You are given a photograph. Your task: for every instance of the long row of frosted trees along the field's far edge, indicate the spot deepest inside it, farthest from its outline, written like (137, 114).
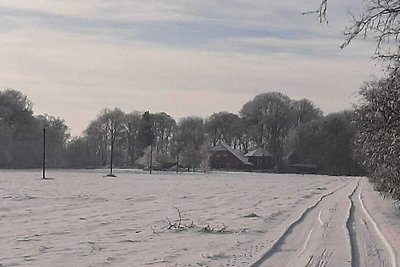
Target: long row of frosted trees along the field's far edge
(271, 120)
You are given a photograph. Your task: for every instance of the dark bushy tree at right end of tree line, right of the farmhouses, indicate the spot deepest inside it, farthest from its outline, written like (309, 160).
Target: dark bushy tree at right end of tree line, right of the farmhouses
(328, 143)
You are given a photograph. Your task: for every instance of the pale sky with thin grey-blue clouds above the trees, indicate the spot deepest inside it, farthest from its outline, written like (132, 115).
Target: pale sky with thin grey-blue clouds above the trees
(74, 58)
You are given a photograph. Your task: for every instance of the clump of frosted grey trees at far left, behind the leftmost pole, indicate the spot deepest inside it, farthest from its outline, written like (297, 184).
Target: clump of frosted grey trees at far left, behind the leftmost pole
(21, 134)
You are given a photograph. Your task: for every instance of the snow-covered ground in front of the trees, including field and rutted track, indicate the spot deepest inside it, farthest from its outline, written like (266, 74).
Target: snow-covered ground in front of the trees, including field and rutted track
(227, 219)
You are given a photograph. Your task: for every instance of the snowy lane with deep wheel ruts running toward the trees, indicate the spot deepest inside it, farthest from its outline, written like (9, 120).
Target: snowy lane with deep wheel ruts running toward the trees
(337, 230)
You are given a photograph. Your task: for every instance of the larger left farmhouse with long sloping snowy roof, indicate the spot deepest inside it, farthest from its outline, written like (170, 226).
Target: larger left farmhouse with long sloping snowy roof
(225, 157)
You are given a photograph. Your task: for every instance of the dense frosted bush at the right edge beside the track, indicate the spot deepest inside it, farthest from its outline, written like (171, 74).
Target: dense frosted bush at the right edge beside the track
(378, 141)
